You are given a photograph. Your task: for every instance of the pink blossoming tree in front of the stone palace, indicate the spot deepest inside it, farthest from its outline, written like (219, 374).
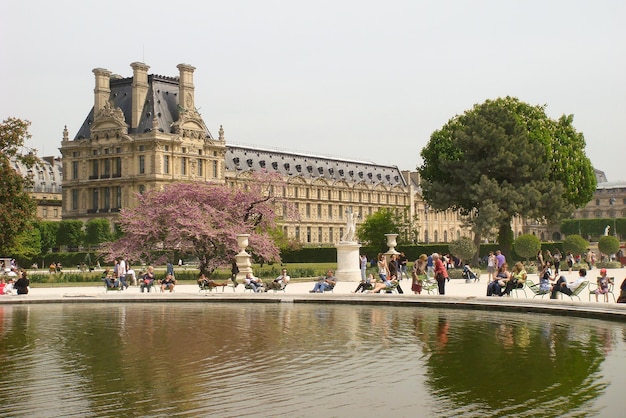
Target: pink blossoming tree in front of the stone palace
(200, 220)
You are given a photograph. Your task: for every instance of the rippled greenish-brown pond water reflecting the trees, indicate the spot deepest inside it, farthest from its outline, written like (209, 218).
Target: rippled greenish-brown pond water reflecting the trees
(233, 360)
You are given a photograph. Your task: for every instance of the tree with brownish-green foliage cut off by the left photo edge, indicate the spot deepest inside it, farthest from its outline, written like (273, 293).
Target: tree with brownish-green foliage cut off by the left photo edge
(17, 207)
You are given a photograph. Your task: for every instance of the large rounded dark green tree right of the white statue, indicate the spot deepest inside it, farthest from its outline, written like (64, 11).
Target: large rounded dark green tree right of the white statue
(504, 158)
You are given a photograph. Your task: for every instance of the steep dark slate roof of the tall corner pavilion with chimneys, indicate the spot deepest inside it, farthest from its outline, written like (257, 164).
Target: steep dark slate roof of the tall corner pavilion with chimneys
(161, 101)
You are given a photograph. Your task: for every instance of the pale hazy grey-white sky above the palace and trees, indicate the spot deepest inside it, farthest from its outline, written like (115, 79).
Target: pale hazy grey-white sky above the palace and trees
(356, 79)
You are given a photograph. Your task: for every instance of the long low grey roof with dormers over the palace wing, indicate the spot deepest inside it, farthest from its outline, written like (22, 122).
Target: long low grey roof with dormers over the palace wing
(241, 158)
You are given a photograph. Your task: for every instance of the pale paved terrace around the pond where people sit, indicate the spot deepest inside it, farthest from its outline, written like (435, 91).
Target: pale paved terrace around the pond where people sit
(458, 295)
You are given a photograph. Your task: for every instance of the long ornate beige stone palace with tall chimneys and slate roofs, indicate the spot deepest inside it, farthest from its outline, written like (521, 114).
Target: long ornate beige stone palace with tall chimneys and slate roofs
(144, 132)
